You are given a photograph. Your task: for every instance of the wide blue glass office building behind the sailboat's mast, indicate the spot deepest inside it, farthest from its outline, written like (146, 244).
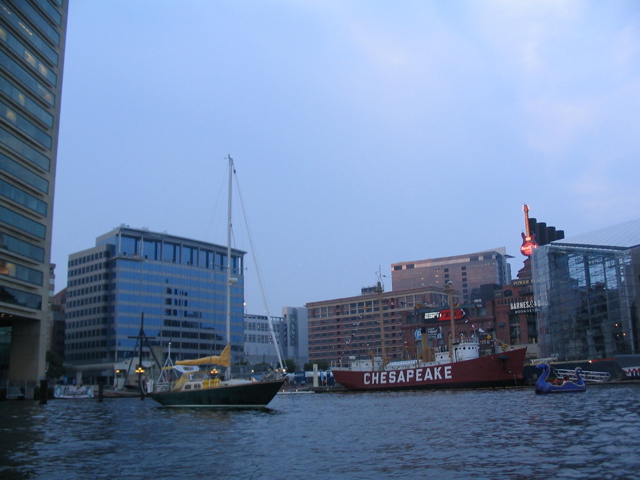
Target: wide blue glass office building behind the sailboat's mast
(178, 284)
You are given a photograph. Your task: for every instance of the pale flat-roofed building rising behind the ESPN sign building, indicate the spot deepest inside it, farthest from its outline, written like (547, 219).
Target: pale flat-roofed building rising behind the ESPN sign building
(466, 272)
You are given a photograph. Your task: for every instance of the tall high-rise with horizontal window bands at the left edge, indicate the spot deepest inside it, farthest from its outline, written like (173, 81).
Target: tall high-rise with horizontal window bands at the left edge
(32, 41)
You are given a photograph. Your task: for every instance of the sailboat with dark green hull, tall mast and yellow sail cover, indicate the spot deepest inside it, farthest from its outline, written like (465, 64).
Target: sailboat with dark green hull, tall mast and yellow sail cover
(187, 384)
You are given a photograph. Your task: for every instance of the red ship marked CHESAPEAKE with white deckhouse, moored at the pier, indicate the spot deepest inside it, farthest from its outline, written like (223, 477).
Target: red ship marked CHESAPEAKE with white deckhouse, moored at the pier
(465, 369)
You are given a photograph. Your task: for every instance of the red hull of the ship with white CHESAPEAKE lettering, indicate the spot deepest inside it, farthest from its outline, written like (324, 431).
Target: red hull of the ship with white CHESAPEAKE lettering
(499, 370)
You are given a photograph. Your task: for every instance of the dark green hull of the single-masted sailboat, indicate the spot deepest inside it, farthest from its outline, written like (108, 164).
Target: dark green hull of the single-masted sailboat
(249, 395)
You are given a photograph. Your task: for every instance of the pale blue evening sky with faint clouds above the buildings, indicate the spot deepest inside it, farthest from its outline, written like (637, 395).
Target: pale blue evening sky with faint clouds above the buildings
(364, 133)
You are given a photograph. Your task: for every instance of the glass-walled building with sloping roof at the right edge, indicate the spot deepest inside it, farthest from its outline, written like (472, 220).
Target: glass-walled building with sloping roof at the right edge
(586, 294)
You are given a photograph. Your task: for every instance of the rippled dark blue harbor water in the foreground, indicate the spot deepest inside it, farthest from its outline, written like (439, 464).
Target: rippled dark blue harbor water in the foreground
(482, 434)
